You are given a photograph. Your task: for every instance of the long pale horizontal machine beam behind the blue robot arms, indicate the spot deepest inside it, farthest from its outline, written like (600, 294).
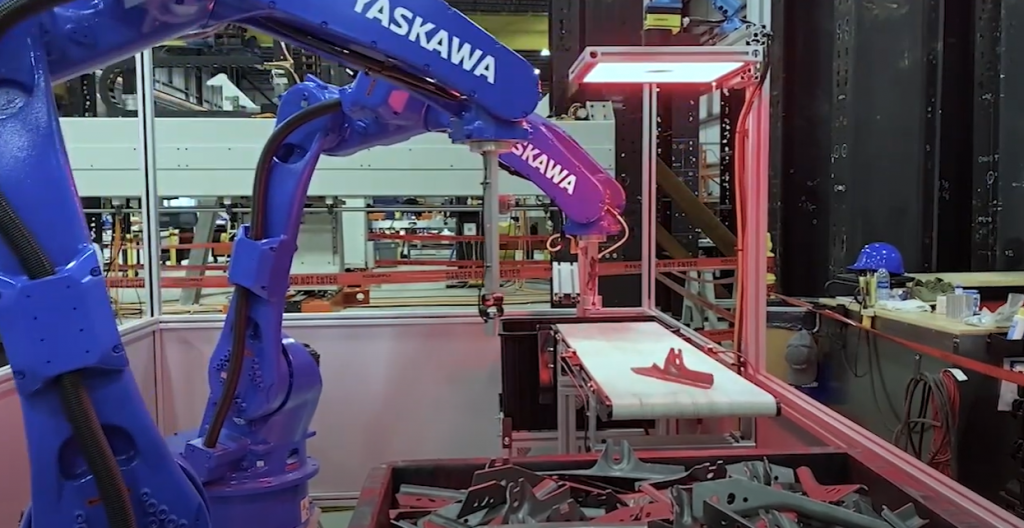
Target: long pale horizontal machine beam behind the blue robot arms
(217, 158)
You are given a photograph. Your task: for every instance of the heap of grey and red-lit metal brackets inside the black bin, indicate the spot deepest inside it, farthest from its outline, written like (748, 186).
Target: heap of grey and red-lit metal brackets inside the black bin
(622, 491)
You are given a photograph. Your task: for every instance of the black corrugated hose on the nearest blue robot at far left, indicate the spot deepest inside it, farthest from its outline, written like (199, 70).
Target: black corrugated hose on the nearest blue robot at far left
(78, 409)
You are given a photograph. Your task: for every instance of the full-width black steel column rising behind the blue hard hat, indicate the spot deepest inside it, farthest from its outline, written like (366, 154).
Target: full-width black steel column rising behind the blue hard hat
(895, 166)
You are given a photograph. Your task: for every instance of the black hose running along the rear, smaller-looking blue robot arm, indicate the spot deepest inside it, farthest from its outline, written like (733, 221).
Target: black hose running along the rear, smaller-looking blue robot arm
(262, 184)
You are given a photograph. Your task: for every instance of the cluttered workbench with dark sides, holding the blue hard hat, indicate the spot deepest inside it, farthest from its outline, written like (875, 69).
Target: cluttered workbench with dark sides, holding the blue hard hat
(869, 374)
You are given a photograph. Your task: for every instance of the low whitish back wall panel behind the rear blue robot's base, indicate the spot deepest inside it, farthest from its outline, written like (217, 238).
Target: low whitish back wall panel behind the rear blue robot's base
(391, 392)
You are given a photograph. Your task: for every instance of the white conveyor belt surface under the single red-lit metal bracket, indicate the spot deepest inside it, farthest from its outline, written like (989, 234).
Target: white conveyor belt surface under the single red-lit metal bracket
(609, 351)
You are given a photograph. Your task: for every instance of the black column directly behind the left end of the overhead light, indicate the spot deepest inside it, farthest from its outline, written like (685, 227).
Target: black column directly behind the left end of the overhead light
(607, 23)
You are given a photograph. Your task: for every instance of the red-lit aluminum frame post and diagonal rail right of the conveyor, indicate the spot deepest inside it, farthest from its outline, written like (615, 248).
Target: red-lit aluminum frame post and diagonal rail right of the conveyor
(909, 473)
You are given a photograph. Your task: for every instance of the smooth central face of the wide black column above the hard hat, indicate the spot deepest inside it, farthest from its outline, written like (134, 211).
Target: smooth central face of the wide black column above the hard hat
(890, 144)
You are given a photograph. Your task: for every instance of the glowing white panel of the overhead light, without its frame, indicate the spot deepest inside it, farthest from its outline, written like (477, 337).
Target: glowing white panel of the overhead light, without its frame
(701, 73)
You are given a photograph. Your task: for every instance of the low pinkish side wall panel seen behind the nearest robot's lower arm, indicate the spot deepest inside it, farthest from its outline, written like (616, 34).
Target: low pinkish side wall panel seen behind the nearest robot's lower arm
(139, 341)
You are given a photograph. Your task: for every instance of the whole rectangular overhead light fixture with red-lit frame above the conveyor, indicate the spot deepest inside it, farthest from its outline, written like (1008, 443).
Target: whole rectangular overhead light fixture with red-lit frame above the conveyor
(721, 67)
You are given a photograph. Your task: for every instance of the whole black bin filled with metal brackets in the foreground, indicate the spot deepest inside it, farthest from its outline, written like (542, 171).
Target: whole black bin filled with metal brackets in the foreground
(621, 490)
